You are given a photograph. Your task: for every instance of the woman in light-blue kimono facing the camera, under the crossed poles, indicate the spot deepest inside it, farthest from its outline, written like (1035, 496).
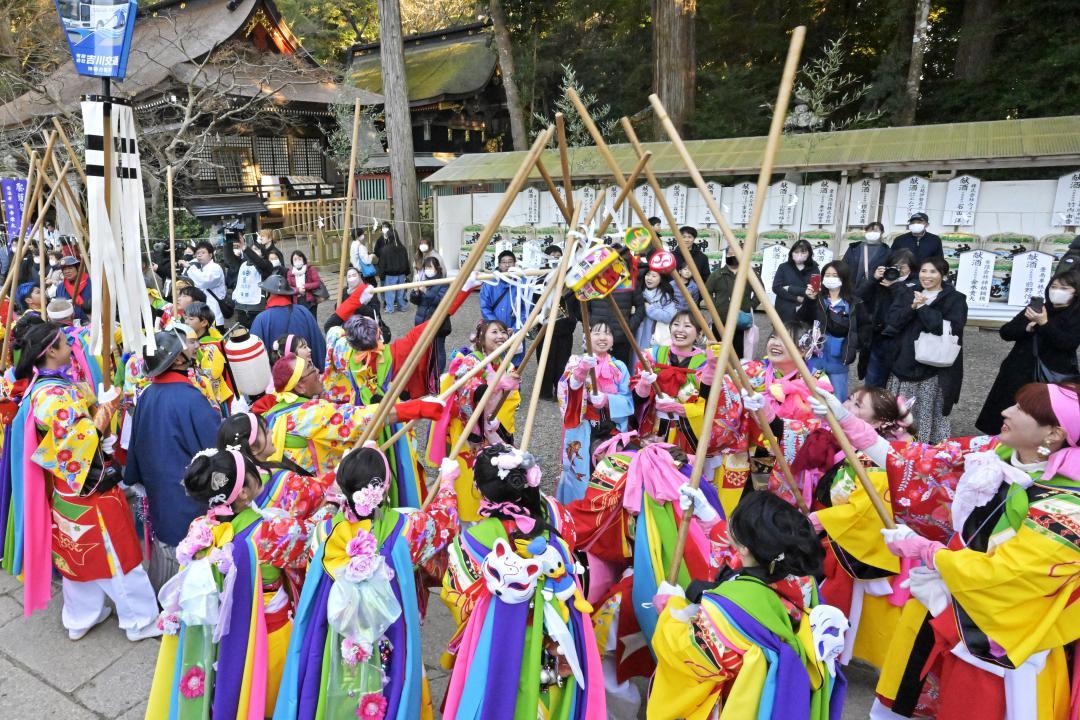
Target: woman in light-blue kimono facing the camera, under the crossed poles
(588, 409)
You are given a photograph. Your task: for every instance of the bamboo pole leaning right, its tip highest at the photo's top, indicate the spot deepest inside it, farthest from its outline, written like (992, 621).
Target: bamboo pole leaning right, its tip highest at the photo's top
(779, 113)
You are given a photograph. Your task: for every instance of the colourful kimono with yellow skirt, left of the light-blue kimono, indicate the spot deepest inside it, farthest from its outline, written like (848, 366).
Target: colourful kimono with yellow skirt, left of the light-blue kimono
(445, 433)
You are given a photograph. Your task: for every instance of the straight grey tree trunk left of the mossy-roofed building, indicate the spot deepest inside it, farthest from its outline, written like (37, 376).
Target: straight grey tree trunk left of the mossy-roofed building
(399, 124)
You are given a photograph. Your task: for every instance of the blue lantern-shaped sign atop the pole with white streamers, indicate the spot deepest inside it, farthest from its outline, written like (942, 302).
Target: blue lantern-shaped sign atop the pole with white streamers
(100, 35)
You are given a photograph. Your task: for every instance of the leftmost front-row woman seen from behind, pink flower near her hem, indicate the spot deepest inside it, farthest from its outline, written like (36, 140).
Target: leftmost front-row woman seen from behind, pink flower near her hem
(227, 616)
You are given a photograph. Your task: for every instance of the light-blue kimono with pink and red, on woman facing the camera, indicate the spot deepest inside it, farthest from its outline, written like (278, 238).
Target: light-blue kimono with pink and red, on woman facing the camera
(580, 417)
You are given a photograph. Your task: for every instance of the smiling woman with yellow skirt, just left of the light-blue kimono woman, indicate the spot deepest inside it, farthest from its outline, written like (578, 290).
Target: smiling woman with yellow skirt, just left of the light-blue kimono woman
(489, 430)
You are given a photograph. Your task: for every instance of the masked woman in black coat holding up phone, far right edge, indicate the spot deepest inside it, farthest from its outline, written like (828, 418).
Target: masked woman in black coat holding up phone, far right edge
(1045, 347)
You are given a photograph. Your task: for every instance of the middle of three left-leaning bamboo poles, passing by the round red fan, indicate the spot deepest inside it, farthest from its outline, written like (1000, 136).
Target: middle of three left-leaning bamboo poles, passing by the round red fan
(732, 360)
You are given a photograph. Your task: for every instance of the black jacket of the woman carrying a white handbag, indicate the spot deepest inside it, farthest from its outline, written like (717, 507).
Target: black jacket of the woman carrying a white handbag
(907, 325)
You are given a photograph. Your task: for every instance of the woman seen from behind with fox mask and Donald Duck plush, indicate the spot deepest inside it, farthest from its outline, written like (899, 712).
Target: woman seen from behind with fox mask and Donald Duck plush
(525, 646)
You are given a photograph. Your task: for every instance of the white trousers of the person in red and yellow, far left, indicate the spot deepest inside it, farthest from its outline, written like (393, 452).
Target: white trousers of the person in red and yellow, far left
(131, 593)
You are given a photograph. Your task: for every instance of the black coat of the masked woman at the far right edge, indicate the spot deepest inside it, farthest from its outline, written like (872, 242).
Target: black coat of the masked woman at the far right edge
(1058, 342)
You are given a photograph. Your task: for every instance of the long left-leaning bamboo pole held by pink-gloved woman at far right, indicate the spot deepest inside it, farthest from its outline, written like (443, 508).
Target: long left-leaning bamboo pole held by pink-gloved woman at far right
(745, 259)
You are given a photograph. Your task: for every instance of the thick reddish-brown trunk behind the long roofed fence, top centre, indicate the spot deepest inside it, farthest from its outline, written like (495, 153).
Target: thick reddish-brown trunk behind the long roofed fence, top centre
(674, 58)
